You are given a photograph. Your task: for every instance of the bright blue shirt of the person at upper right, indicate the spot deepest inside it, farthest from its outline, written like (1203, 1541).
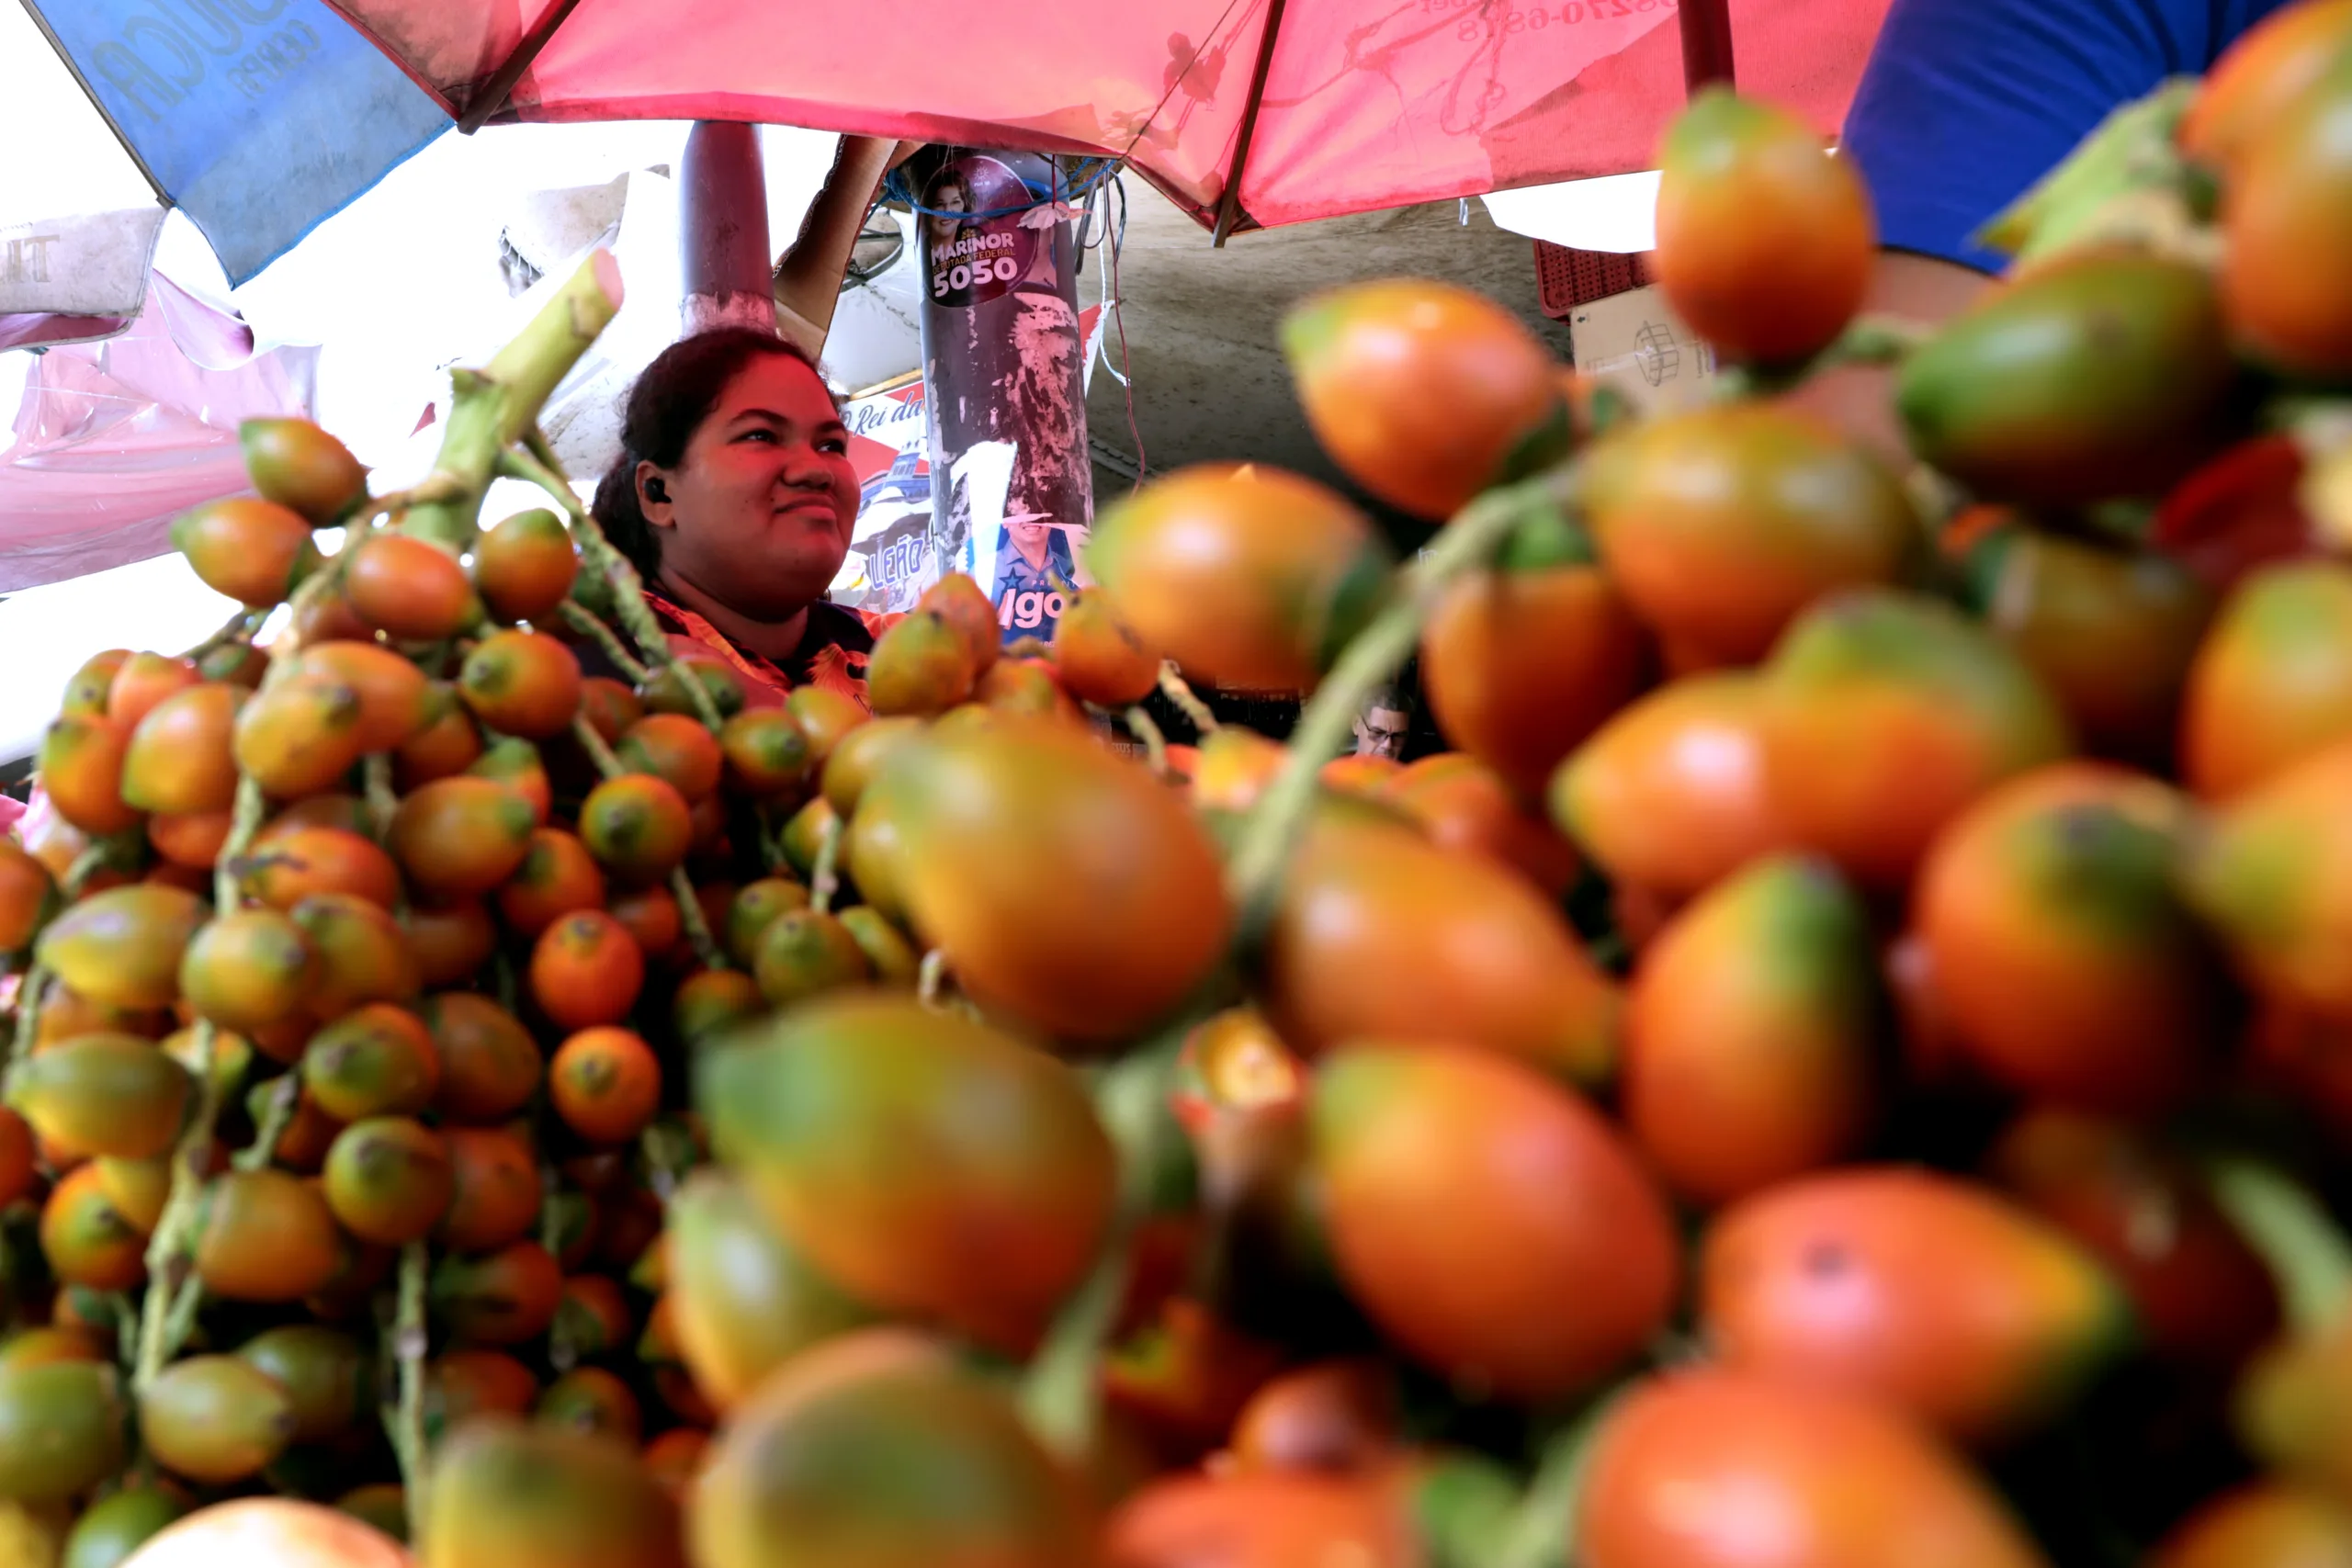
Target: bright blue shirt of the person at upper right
(1970, 102)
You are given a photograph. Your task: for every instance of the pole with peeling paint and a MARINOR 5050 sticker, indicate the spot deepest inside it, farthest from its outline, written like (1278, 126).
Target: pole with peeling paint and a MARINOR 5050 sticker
(1003, 366)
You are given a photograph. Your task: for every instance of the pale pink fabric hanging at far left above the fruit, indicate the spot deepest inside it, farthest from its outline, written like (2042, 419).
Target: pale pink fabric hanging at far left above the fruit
(116, 438)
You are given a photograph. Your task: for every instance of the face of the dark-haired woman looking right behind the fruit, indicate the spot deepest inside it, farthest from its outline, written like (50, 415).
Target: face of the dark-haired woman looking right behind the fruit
(761, 507)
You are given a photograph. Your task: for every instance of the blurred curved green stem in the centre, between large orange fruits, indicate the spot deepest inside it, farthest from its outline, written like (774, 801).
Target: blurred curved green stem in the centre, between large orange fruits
(1469, 542)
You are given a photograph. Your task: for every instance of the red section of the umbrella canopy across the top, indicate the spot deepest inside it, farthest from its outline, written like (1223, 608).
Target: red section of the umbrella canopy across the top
(1363, 105)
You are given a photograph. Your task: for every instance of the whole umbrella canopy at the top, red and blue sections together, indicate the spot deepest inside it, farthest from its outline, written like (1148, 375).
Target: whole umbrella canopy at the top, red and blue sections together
(265, 116)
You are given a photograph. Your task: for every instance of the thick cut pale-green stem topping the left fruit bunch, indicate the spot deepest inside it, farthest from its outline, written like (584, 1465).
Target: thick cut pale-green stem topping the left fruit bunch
(497, 406)
